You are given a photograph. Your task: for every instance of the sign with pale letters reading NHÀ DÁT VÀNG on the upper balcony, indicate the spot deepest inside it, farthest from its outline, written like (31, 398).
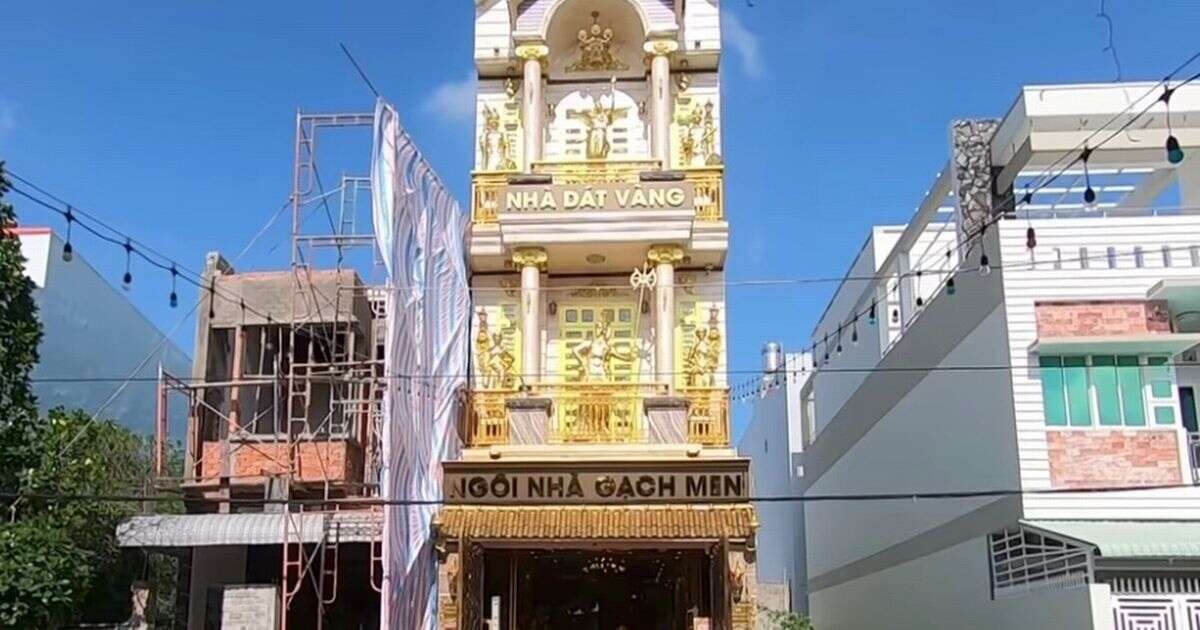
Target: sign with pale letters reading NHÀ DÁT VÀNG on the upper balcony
(571, 199)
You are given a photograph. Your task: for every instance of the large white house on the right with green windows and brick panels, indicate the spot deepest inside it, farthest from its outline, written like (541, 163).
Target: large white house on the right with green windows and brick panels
(1064, 370)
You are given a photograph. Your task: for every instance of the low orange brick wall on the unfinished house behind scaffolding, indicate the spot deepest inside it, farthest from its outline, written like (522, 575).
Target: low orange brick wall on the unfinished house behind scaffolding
(337, 461)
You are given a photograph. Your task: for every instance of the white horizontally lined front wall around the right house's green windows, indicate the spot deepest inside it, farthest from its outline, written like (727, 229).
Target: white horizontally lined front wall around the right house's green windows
(1024, 286)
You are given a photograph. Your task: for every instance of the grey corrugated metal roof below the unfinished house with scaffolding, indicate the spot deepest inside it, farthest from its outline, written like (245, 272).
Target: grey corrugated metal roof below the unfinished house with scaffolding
(211, 530)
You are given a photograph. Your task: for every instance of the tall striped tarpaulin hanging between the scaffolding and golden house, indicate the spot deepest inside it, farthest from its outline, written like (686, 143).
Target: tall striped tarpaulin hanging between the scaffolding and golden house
(419, 230)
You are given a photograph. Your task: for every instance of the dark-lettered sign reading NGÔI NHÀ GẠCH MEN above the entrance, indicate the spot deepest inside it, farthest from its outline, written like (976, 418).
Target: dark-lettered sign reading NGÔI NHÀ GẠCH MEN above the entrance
(596, 485)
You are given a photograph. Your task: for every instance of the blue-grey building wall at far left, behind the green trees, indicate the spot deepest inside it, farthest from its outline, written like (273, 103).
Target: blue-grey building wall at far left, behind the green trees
(91, 331)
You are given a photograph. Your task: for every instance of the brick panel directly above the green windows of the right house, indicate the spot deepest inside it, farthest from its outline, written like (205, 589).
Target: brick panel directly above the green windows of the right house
(1102, 317)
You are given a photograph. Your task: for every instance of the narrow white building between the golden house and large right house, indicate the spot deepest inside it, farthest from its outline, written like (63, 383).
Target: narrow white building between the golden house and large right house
(773, 442)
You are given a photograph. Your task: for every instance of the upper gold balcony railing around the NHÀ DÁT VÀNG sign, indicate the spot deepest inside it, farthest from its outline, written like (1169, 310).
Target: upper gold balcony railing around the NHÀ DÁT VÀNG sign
(709, 182)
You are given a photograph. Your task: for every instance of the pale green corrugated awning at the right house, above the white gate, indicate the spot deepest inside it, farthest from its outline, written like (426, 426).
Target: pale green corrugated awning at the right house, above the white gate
(1131, 539)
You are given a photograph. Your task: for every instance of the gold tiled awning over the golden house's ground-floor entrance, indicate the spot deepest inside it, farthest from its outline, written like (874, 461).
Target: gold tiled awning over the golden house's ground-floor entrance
(575, 523)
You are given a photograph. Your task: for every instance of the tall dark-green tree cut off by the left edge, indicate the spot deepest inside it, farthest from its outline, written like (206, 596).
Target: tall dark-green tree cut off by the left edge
(20, 335)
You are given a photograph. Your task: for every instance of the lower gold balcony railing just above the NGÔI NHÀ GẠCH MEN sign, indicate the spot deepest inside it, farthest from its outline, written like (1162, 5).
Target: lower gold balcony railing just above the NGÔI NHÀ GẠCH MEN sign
(597, 413)
